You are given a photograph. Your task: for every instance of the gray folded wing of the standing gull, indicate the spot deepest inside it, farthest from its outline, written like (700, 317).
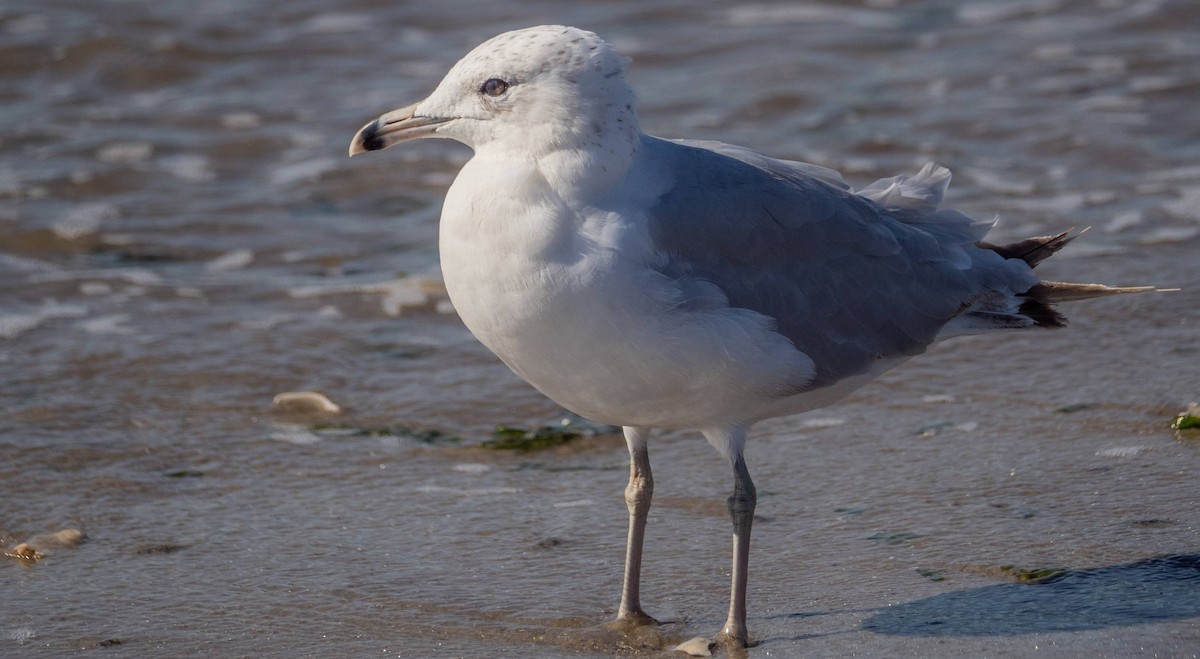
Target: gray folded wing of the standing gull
(849, 279)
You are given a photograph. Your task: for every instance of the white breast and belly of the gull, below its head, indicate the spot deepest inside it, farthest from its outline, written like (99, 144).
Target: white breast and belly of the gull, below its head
(565, 297)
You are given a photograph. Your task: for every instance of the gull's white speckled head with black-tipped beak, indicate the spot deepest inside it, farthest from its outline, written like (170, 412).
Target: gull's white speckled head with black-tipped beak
(532, 91)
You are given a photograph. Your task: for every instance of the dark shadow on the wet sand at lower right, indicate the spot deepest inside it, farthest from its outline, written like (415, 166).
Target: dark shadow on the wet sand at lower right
(1156, 590)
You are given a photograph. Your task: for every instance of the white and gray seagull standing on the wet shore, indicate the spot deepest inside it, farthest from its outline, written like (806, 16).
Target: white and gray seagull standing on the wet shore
(673, 284)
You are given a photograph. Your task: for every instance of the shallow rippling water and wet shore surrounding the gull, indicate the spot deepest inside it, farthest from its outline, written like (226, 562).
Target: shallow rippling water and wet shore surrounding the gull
(182, 238)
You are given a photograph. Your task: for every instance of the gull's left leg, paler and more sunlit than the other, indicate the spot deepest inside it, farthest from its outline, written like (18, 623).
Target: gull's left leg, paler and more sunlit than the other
(638, 498)
